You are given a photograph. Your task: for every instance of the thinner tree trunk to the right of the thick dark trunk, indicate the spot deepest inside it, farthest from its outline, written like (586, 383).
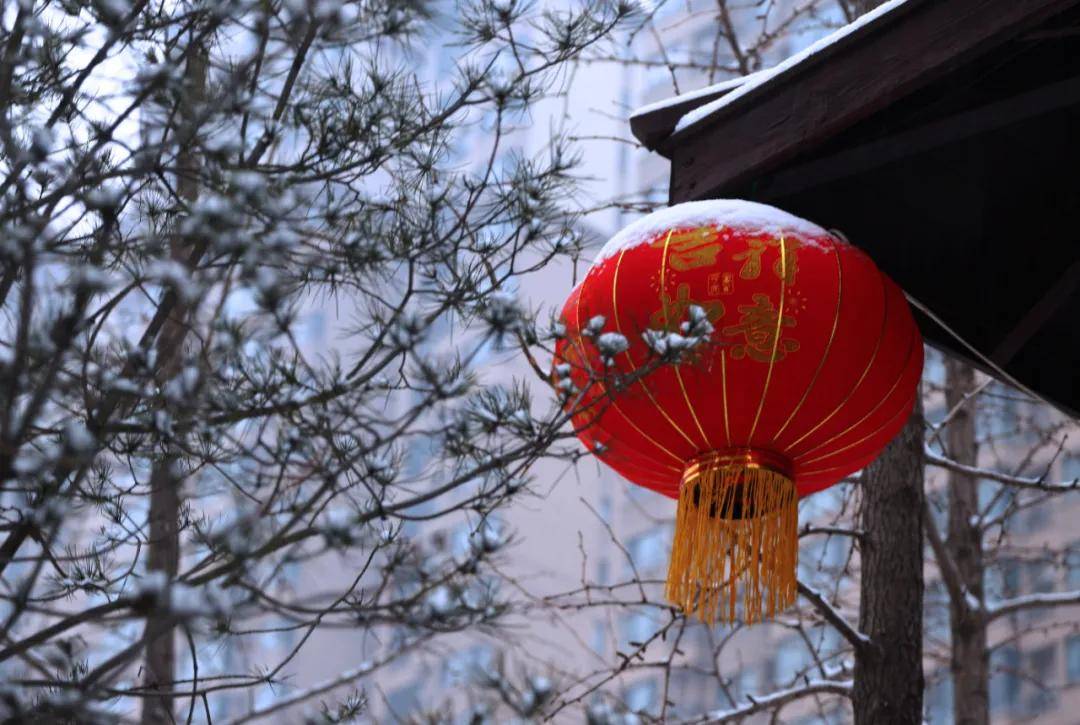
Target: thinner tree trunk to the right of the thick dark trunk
(965, 545)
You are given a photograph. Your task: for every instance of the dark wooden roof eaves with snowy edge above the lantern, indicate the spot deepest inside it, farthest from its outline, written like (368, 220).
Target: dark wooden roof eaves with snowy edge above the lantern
(941, 137)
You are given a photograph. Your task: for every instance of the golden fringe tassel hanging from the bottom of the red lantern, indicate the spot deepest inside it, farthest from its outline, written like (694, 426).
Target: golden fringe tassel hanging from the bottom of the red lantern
(737, 528)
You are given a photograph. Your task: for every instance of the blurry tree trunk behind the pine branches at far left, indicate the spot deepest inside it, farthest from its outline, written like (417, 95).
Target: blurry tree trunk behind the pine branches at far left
(164, 543)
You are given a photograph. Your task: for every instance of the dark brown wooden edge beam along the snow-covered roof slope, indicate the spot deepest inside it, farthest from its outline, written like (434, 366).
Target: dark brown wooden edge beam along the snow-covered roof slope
(822, 97)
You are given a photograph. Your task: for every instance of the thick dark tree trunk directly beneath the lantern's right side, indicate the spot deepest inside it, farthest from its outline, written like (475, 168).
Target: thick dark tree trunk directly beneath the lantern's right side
(889, 682)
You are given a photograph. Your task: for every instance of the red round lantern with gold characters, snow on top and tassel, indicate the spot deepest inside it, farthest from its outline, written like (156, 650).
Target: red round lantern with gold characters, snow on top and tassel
(736, 358)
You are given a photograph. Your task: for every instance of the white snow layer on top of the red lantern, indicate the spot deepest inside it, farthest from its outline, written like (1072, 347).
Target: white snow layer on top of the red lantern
(720, 212)
